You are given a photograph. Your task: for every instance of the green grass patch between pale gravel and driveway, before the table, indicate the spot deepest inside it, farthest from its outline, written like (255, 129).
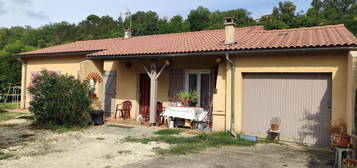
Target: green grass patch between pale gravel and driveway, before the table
(184, 145)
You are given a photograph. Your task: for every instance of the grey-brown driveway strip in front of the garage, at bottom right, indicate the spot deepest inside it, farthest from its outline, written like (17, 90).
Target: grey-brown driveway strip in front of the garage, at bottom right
(259, 156)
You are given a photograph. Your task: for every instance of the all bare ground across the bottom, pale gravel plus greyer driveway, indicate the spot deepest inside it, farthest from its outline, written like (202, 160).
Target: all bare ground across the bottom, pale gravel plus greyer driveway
(101, 147)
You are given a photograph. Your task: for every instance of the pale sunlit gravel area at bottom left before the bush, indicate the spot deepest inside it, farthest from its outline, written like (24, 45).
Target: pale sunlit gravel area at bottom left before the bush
(97, 147)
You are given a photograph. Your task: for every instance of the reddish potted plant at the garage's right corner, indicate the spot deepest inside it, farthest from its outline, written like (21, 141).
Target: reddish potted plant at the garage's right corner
(340, 137)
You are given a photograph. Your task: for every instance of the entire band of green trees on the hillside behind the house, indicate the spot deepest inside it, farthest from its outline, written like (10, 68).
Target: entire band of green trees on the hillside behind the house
(19, 39)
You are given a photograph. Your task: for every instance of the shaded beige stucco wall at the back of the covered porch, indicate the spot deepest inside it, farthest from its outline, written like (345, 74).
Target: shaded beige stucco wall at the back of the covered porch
(127, 79)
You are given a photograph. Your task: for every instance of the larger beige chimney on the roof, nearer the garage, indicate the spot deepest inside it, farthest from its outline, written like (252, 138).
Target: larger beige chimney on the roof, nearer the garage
(230, 31)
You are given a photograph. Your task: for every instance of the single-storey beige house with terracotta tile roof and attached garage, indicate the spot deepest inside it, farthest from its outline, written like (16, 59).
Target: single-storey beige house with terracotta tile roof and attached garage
(243, 76)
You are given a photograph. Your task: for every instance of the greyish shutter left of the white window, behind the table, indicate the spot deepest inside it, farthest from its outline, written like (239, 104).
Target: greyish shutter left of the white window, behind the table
(175, 83)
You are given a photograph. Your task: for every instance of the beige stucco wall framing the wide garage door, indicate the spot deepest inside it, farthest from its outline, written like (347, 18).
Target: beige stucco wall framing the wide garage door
(332, 62)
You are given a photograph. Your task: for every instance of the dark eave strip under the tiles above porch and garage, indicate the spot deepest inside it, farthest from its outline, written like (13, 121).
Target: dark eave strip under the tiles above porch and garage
(216, 53)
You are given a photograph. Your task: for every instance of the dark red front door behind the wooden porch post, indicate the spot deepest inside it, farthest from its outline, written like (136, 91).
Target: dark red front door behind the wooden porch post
(144, 96)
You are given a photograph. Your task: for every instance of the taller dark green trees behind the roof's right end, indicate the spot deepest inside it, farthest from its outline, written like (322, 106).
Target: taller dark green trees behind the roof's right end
(321, 12)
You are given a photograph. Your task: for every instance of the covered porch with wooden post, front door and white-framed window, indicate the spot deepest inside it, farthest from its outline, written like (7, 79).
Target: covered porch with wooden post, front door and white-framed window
(146, 81)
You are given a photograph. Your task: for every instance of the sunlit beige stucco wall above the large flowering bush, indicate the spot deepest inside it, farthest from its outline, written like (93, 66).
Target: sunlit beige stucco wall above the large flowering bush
(65, 64)
